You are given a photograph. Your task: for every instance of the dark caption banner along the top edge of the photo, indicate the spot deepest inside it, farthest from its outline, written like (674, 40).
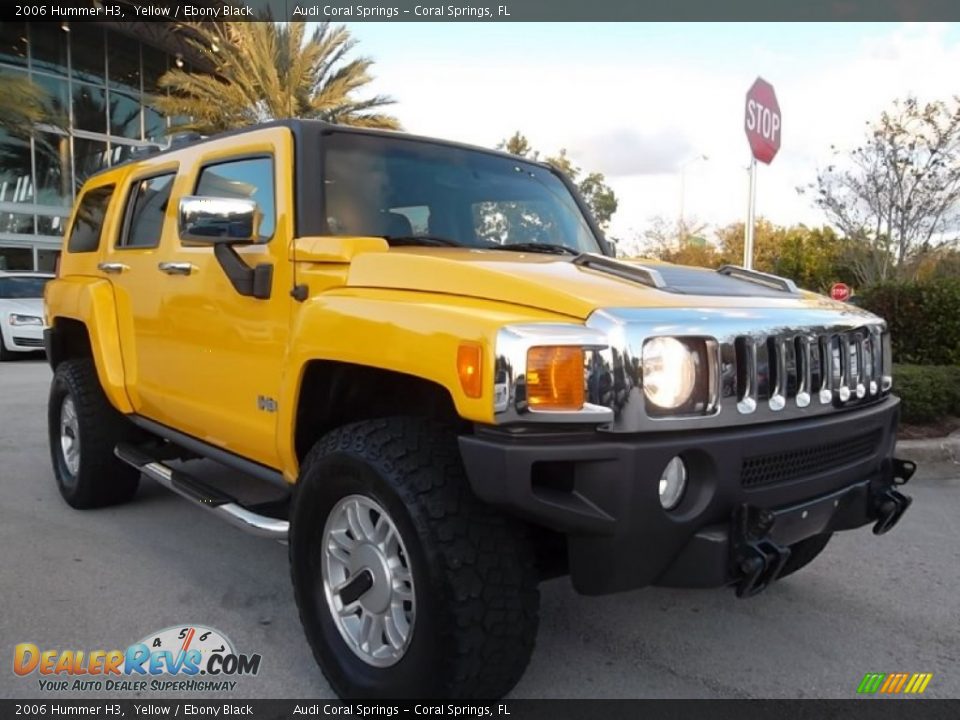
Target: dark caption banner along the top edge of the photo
(478, 10)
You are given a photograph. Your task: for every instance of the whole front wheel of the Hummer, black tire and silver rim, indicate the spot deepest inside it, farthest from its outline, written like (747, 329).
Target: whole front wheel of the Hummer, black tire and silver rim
(408, 585)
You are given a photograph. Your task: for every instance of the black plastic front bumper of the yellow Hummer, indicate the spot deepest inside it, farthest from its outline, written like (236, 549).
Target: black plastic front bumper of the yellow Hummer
(773, 484)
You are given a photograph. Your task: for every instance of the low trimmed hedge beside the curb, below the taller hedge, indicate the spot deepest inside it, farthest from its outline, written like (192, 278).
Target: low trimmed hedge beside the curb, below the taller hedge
(927, 392)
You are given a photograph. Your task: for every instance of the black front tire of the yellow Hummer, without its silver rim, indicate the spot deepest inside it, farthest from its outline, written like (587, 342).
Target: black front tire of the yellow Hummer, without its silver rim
(473, 567)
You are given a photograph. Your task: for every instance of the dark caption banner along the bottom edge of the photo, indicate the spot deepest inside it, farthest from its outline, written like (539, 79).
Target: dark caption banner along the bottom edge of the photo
(508, 709)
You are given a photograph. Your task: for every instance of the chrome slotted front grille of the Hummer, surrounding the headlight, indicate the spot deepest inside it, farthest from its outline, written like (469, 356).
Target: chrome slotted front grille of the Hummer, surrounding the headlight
(763, 364)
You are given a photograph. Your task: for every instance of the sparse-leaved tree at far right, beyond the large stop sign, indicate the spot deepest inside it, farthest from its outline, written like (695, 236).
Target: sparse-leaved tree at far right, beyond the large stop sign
(896, 196)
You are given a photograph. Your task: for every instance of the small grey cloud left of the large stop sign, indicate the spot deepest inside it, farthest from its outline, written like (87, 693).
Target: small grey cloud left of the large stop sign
(623, 152)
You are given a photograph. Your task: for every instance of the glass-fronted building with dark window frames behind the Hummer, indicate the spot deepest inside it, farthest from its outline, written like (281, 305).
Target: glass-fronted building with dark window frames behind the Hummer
(98, 80)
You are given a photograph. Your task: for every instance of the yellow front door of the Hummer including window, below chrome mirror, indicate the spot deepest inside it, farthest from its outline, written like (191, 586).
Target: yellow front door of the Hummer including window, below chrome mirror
(223, 351)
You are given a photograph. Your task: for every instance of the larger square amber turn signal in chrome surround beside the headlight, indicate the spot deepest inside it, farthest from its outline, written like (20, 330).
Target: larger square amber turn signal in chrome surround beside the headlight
(555, 378)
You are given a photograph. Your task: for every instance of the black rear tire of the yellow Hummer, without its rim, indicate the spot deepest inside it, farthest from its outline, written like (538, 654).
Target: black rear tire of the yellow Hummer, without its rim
(101, 479)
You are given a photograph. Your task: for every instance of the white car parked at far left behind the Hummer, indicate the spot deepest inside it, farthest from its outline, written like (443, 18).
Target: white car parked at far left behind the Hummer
(21, 312)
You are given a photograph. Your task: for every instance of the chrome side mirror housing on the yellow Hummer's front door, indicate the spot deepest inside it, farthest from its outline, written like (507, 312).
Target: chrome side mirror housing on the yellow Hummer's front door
(216, 220)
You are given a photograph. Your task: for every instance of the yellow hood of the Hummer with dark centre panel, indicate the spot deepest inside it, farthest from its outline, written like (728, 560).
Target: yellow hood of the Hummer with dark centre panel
(555, 283)
